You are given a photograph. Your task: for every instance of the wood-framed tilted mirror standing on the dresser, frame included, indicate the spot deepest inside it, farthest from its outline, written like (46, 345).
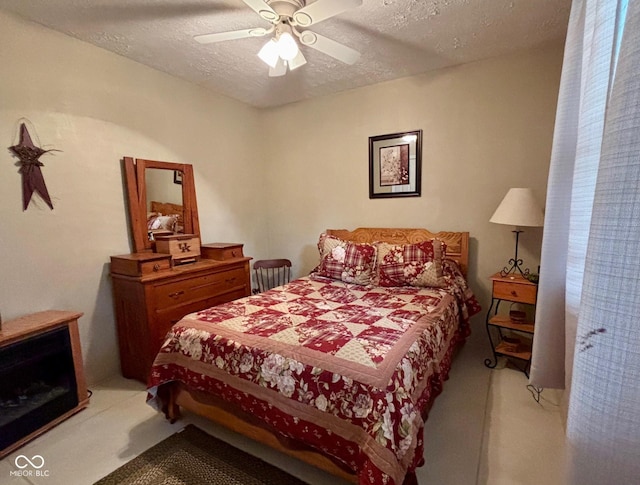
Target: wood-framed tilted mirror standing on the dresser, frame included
(162, 199)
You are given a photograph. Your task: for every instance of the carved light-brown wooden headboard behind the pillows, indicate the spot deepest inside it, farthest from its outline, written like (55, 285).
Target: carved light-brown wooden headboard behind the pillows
(457, 242)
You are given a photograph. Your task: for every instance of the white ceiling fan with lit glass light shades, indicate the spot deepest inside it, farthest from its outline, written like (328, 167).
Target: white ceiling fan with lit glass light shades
(288, 18)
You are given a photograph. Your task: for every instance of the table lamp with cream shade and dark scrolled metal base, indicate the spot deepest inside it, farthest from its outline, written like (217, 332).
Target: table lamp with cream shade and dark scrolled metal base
(518, 208)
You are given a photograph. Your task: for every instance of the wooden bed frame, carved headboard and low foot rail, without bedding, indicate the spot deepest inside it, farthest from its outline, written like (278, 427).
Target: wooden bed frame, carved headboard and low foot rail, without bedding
(178, 396)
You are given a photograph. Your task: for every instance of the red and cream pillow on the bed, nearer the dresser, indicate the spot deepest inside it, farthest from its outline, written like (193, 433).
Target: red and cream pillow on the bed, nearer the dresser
(346, 261)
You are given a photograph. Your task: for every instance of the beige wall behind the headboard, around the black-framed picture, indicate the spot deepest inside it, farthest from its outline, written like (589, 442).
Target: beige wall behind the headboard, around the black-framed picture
(487, 127)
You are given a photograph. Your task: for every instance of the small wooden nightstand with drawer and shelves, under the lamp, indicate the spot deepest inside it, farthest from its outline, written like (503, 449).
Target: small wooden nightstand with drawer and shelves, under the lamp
(510, 336)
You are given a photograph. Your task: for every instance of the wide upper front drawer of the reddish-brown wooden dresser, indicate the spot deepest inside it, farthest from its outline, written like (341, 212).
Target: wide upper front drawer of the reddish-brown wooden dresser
(182, 292)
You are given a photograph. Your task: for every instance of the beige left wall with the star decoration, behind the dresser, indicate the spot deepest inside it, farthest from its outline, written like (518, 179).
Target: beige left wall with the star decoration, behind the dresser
(97, 107)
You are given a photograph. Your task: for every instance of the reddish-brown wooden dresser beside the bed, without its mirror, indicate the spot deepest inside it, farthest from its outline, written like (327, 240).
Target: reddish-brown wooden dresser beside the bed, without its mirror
(150, 295)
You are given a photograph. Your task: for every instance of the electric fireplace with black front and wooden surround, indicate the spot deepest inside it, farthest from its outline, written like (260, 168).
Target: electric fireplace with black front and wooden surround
(41, 377)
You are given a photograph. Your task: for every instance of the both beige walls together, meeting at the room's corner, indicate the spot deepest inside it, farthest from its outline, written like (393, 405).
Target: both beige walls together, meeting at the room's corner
(487, 127)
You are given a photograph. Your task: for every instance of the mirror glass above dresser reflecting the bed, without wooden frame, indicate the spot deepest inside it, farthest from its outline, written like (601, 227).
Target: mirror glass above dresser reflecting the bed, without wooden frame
(165, 207)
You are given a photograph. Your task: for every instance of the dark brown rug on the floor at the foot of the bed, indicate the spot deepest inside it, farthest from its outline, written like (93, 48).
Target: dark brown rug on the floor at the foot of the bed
(193, 457)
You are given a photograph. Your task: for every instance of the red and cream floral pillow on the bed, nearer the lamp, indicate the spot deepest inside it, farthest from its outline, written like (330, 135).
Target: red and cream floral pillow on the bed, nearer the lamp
(418, 264)
